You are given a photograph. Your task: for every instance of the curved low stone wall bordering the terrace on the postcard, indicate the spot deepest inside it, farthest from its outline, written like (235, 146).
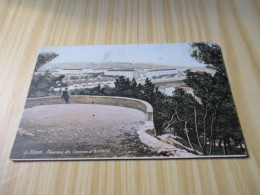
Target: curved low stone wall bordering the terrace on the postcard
(89, 99)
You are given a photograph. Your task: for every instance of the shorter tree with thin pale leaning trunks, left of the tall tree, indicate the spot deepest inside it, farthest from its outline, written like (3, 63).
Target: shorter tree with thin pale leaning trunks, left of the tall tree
(181, 114)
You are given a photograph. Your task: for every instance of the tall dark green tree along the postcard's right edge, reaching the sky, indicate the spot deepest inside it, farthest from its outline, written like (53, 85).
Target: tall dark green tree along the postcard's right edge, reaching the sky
(219, 114)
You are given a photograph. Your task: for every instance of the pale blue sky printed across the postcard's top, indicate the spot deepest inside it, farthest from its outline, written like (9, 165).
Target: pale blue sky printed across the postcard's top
(176, 54)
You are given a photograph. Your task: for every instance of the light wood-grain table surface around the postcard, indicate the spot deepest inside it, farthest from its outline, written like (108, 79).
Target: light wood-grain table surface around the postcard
(25, 26)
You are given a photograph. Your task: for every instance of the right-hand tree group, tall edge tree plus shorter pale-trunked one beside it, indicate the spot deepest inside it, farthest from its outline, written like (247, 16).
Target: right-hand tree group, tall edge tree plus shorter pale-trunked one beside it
(209, 114)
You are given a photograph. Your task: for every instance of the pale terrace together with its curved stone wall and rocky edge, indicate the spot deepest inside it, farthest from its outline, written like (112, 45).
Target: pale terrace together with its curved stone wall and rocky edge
(88, 127)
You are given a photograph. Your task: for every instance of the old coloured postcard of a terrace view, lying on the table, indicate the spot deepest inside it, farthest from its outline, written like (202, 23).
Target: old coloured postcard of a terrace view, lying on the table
(150, 101)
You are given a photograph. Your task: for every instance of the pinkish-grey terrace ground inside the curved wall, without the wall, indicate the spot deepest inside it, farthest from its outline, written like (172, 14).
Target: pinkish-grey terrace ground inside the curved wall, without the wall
(86, 130)
